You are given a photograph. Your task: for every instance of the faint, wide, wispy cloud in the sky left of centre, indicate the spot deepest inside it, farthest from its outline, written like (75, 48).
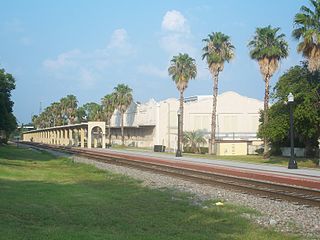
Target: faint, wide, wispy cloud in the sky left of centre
(87, 68)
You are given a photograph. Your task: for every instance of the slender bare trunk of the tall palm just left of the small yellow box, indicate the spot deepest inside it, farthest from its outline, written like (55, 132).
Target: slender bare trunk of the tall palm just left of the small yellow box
(214, 113)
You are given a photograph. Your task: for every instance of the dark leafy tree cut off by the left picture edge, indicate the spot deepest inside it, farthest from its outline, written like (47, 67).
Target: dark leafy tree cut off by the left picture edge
(8, 121)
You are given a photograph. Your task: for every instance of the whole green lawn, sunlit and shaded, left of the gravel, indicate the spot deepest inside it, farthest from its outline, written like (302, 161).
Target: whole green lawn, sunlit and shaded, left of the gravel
(43, 197)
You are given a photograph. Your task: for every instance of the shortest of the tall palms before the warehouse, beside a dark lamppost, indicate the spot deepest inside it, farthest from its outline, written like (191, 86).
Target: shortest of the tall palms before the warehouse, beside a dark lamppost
(182, 69)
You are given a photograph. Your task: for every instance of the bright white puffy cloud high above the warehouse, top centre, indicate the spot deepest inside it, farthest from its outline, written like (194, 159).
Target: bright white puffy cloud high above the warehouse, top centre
(174, 21)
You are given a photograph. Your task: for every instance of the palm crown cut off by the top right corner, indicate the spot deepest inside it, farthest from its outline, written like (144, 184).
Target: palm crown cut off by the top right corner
(307, 28)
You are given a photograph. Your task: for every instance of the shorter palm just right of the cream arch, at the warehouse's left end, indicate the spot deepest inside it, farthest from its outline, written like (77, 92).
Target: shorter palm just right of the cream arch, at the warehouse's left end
(122, 98)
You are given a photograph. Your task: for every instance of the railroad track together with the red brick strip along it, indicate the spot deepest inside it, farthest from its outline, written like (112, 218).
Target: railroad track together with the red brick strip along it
(302, 191)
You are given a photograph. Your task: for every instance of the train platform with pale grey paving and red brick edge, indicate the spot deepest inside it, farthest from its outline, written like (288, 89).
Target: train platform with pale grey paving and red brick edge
(303, 177)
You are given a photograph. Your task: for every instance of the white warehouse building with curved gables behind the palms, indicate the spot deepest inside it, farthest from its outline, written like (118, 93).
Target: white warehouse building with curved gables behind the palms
(155, 123)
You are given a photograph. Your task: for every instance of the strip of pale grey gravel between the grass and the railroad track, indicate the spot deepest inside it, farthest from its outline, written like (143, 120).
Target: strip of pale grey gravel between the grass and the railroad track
(280, 215)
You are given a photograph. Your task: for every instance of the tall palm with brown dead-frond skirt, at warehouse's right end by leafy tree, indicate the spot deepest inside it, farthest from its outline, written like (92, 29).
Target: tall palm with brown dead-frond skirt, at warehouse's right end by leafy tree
(268, 48)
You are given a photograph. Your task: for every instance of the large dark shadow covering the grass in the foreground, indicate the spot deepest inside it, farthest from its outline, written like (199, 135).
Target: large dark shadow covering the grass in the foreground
(112, 210)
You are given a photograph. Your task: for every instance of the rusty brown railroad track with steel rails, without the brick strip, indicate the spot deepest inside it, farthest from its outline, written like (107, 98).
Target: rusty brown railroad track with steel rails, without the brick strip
(278, 192)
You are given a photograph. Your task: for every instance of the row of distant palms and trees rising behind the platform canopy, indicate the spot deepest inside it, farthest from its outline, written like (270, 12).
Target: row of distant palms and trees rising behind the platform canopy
(66, 111)
